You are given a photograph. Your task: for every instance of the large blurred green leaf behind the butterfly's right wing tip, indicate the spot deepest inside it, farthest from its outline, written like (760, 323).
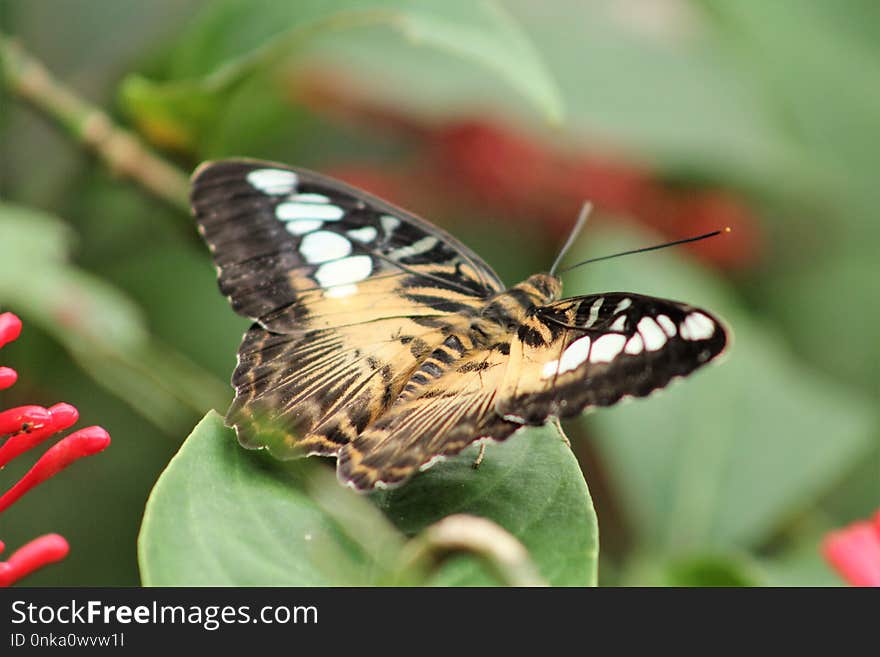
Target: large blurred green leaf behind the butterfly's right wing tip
(721, 460)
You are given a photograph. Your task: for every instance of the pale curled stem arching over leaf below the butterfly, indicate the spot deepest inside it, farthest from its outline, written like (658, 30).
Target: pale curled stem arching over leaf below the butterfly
(462, 532)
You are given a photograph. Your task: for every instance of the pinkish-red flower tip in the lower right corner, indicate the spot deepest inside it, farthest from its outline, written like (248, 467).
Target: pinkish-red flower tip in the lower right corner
(854, 552)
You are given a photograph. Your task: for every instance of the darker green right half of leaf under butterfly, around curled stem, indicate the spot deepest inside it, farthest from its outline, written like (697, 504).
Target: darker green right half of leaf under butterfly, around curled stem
(531, 485)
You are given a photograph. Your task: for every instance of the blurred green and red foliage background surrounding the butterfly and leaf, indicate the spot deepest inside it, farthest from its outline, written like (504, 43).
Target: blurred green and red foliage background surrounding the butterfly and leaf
(495, 121)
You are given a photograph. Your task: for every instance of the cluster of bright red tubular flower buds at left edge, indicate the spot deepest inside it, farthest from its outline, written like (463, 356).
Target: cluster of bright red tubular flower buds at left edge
(25, 428)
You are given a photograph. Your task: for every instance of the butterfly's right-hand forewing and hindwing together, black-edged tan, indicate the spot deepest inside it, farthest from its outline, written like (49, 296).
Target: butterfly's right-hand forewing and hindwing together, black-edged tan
(566, 357)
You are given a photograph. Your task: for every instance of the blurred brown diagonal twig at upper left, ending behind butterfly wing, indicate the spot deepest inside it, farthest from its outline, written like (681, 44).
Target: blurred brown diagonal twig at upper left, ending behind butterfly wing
(122, 151)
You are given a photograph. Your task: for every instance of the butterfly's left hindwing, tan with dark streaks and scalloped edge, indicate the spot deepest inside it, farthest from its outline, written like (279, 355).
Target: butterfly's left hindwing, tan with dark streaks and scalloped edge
(311, 393)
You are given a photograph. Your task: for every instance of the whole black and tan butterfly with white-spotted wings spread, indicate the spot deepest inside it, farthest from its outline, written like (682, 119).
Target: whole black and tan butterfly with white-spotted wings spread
(381, 340)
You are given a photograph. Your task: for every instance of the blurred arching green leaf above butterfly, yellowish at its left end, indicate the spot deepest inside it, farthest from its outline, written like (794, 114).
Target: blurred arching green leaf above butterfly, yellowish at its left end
(236, 39)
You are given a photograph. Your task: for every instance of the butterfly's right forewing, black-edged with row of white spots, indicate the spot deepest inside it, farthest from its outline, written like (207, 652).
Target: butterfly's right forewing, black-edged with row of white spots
(590, 351)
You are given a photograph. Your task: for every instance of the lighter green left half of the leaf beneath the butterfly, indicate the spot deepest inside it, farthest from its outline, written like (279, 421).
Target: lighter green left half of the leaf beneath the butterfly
(222, 516)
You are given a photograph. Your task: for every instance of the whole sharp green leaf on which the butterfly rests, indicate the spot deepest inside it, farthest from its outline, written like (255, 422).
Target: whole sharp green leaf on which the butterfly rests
(220, 515)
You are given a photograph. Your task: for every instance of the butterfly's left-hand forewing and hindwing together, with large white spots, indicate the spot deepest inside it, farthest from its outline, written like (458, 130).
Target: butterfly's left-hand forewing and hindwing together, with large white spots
(349, 294)
